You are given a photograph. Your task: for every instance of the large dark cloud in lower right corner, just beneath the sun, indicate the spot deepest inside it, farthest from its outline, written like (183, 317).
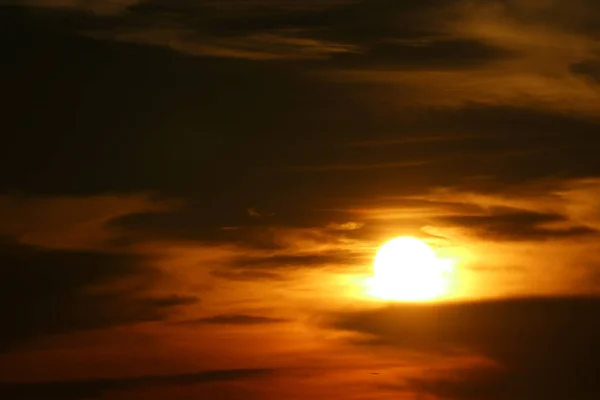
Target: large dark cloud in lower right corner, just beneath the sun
(546, 348)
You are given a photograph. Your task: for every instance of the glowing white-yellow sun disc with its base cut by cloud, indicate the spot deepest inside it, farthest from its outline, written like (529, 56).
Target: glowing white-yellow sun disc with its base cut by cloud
(407, 269)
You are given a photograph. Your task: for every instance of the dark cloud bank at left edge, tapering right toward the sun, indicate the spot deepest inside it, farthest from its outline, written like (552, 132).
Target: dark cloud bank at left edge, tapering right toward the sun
(46, 292)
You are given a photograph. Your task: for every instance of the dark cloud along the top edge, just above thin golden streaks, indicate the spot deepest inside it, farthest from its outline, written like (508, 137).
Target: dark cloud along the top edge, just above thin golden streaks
(338, 21)
